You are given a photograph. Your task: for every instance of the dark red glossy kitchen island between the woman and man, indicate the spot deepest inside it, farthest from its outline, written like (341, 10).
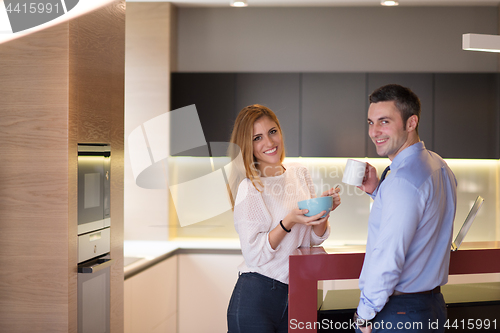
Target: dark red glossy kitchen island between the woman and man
(310, 265)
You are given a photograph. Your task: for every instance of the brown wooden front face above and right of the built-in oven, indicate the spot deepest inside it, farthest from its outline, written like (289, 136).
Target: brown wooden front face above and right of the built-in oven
(97, 83)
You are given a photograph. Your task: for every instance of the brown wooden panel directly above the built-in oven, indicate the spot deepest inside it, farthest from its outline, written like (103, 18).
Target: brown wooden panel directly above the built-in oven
(100, 66)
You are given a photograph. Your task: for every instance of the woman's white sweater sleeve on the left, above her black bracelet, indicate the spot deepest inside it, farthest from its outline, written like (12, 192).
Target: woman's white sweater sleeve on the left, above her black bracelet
(253, 224)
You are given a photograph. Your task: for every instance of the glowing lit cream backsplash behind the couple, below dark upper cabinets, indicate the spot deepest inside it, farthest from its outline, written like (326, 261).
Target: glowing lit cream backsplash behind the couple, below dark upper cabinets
(349, 221)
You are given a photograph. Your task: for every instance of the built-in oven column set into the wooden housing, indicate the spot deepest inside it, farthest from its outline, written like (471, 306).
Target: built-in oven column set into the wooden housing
(94, 235)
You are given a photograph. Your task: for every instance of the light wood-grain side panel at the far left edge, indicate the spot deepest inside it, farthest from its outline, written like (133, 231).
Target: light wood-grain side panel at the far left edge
(34, 182)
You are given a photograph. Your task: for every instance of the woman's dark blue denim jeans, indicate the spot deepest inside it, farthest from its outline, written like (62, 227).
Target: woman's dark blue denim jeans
(258, 304)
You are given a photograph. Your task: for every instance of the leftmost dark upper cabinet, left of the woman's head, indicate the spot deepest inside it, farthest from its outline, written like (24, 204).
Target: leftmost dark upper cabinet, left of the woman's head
(214, 97)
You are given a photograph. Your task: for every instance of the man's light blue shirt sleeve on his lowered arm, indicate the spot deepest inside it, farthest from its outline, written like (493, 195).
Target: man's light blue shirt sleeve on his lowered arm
(402, 208)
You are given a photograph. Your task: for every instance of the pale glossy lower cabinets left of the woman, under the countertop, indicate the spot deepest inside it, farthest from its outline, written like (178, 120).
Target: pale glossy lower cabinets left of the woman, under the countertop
(184, 294)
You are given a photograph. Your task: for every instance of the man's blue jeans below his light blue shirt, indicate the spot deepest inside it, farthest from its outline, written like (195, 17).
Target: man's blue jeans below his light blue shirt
(410, 313)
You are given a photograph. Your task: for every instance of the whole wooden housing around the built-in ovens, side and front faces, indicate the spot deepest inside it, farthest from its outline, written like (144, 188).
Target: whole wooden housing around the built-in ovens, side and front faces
(59, 86)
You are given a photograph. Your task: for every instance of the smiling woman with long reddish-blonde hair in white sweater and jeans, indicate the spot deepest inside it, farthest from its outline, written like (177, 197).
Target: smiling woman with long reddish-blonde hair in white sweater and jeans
(268, 221)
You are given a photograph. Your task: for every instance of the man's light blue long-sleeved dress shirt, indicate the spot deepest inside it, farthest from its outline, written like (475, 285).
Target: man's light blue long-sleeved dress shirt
(409, 230)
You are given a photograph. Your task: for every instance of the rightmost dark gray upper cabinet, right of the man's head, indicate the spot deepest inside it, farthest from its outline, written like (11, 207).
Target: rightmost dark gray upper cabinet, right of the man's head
(466, 115)
